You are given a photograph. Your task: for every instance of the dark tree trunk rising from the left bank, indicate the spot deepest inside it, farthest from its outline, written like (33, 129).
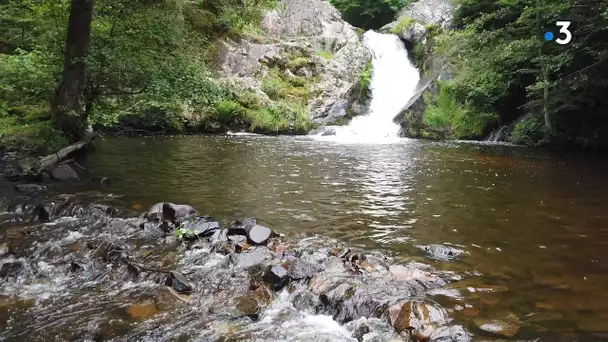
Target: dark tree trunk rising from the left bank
(69, 105)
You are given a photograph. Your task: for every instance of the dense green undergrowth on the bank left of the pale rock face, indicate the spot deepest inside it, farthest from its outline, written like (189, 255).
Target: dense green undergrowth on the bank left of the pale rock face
(150, 69)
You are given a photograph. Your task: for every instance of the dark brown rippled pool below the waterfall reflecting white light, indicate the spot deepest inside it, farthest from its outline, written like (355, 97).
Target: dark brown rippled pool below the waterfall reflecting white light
(534, 225)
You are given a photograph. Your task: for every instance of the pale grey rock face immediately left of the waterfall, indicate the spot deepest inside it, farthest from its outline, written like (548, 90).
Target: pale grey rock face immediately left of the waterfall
(305, 38)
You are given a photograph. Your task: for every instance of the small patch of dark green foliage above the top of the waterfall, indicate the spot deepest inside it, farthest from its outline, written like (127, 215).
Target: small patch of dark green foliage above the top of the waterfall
(369, 14)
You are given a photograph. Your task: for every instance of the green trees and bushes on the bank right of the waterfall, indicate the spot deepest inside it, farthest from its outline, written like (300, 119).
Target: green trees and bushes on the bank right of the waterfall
(502, 65)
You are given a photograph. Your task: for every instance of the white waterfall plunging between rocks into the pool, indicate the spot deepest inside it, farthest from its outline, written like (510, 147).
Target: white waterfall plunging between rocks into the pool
(393, 83)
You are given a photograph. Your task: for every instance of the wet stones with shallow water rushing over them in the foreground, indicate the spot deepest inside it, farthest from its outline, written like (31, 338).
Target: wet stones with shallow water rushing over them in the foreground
(88, 269)
